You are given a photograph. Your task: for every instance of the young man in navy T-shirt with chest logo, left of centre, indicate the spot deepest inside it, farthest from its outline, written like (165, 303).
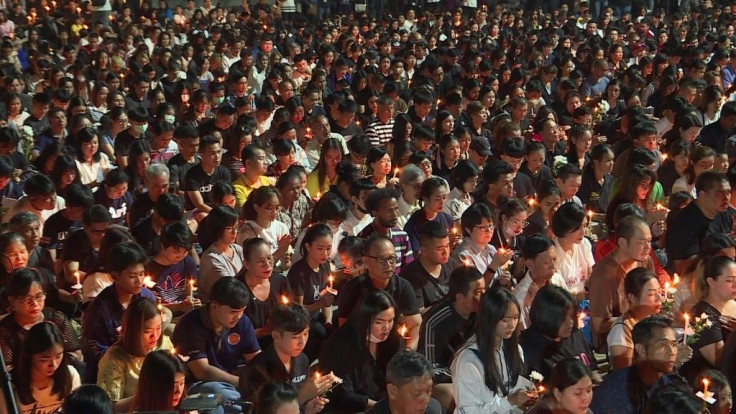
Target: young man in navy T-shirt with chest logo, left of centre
(173, 269)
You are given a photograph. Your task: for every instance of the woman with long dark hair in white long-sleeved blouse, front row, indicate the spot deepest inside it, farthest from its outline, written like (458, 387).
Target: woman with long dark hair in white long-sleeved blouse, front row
(486, 372)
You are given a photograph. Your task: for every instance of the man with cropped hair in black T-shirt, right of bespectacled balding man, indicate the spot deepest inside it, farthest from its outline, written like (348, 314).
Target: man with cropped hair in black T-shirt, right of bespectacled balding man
(429, 274)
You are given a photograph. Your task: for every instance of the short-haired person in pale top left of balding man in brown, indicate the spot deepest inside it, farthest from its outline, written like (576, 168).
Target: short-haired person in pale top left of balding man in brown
(539, 256)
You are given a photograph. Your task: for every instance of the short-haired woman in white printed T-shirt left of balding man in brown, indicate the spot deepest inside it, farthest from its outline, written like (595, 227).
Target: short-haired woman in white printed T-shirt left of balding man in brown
(574, 252)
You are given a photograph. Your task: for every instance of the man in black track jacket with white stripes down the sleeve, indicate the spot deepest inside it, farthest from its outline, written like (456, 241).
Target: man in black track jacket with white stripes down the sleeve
(447, 325)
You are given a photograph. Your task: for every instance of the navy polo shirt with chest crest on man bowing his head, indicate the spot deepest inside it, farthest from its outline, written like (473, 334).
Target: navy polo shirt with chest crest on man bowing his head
(195, 338)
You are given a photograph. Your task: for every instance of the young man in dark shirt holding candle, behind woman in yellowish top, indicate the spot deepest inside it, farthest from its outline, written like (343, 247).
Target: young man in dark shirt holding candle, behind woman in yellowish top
(102, 323)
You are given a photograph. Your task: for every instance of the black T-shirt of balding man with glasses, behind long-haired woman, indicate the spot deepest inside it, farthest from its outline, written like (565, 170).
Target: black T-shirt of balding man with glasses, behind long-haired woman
(399, 288)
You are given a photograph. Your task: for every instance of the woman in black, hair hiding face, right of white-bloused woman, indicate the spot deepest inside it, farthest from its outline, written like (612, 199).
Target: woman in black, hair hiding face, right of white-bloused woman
(553, 334)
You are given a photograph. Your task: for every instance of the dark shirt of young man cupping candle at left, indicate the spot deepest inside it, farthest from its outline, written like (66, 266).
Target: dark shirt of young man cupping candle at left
(102, 326)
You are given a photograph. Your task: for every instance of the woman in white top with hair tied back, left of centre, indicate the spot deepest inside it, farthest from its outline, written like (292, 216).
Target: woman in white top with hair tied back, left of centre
(259, 211)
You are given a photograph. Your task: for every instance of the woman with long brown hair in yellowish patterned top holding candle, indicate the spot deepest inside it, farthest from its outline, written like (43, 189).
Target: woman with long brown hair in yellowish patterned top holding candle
(120, 367)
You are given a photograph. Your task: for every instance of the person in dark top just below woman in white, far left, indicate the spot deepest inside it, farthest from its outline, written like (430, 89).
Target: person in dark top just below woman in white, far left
(62, 223)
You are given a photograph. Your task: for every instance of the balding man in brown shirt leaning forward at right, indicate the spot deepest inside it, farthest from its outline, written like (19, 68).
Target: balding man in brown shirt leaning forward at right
(605, 285)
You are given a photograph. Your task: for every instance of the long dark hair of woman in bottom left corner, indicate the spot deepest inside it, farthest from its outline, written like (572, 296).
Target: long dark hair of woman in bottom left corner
(41, 337)
